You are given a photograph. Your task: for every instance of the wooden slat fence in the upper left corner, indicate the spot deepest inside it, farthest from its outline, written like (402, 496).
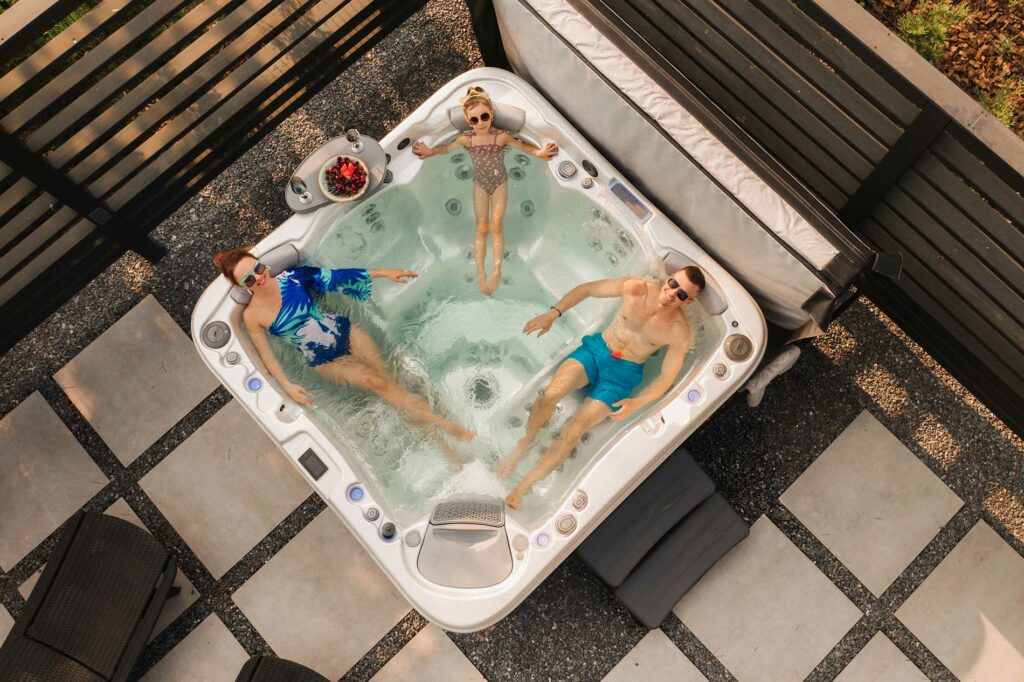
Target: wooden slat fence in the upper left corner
(110, 124)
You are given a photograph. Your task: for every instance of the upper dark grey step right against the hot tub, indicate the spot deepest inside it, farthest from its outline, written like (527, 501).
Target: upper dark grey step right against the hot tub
(617, 546)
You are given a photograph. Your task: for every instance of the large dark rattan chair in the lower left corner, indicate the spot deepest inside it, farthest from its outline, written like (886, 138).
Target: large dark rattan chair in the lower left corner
(95, 607)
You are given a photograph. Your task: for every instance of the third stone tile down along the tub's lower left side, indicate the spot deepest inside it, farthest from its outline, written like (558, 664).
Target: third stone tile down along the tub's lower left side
(322, 601)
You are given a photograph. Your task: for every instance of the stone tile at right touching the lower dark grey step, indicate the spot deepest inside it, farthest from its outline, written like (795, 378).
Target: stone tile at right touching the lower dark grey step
(765, 611)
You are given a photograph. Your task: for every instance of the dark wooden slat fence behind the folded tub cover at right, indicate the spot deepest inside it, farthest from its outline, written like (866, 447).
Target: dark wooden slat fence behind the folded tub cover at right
(841, 134)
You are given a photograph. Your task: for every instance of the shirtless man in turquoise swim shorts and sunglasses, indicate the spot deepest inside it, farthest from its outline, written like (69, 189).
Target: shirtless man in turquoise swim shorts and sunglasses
(612, 363)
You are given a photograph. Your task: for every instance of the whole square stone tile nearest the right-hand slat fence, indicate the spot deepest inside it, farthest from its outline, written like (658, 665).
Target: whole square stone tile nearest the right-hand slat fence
(872, 502)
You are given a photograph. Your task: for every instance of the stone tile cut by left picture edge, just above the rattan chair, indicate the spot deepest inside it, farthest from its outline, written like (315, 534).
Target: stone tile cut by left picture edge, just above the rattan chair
(46, 477)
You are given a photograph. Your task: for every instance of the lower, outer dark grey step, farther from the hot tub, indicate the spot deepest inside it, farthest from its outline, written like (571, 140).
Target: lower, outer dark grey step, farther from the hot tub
(679, 562)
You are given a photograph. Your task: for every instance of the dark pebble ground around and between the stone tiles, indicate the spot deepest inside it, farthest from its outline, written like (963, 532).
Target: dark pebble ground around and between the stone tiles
(572, 628)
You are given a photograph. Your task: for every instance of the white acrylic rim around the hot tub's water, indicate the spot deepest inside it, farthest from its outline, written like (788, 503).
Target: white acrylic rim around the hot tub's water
(637, 451)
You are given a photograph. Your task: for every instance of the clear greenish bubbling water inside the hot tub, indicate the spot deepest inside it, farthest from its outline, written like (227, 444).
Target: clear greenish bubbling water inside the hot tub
(463, 353)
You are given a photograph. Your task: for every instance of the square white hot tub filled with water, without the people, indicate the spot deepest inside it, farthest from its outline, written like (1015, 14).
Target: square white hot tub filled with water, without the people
(444, 535)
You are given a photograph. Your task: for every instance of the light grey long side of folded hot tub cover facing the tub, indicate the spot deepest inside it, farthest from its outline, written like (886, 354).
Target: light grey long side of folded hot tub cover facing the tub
(779, 281)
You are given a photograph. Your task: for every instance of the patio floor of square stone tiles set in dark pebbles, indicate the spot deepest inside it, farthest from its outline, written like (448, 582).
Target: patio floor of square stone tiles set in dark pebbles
(950, 608)
